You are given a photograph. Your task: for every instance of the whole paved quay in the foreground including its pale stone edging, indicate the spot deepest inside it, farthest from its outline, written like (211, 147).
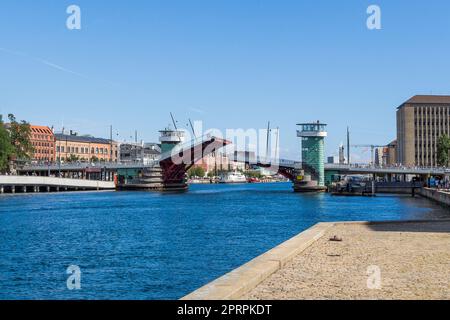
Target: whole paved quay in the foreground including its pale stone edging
(406, 260)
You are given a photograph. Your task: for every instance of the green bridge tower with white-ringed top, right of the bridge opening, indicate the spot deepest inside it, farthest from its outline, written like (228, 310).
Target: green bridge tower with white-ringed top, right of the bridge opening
(313, 157)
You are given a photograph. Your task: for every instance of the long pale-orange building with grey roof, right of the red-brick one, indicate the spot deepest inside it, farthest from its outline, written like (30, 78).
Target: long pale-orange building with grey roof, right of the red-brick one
(71, 147)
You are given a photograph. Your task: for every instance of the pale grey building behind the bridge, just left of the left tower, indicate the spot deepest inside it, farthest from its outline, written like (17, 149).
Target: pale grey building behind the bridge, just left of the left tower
(139, 152)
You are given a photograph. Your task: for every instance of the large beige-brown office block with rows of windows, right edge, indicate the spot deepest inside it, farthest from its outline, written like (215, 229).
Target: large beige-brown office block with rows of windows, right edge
(420, 122)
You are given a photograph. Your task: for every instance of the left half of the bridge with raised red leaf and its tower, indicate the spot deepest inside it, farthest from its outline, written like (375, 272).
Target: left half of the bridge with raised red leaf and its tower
(166, 173)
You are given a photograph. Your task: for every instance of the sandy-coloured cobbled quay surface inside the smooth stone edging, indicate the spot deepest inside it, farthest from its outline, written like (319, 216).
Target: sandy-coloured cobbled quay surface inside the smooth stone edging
(374, 261)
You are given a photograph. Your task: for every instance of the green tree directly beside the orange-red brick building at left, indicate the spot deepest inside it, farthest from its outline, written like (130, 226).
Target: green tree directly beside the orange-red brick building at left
(20, 135)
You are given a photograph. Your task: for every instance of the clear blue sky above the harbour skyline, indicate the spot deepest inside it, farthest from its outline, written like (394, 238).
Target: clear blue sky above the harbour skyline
(232, 64)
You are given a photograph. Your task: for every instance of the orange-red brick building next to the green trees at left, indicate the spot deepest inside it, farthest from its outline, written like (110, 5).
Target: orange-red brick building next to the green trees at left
(43, 141)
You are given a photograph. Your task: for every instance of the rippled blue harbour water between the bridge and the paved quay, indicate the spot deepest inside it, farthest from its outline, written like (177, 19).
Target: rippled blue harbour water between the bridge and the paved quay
(135, 245)
